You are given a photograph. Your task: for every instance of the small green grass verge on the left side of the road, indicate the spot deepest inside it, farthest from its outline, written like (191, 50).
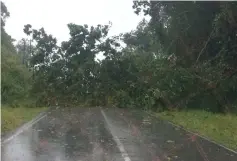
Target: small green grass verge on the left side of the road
(14, 117)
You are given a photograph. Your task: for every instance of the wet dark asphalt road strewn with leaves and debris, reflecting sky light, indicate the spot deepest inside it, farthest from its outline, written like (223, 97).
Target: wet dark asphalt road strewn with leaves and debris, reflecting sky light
(83, 134)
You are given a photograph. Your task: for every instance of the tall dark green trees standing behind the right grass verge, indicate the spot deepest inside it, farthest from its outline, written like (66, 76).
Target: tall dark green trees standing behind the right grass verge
(194, 34)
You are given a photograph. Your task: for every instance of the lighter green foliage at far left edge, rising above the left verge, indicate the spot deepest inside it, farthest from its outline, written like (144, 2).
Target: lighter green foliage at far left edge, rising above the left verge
(15, 82)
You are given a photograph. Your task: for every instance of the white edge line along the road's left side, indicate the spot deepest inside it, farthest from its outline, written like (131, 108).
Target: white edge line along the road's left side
(26, 126)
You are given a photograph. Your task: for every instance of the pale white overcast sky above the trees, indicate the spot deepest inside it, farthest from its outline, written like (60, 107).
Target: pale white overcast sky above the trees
(54, 15)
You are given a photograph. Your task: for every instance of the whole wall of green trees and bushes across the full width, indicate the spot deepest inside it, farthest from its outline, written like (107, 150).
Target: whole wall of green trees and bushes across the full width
(185, 56)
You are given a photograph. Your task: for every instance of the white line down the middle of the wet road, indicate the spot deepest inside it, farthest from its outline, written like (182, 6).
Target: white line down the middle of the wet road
(116, 139)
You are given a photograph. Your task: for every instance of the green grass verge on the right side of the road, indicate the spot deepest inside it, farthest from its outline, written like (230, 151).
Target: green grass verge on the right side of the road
(218, 127)
